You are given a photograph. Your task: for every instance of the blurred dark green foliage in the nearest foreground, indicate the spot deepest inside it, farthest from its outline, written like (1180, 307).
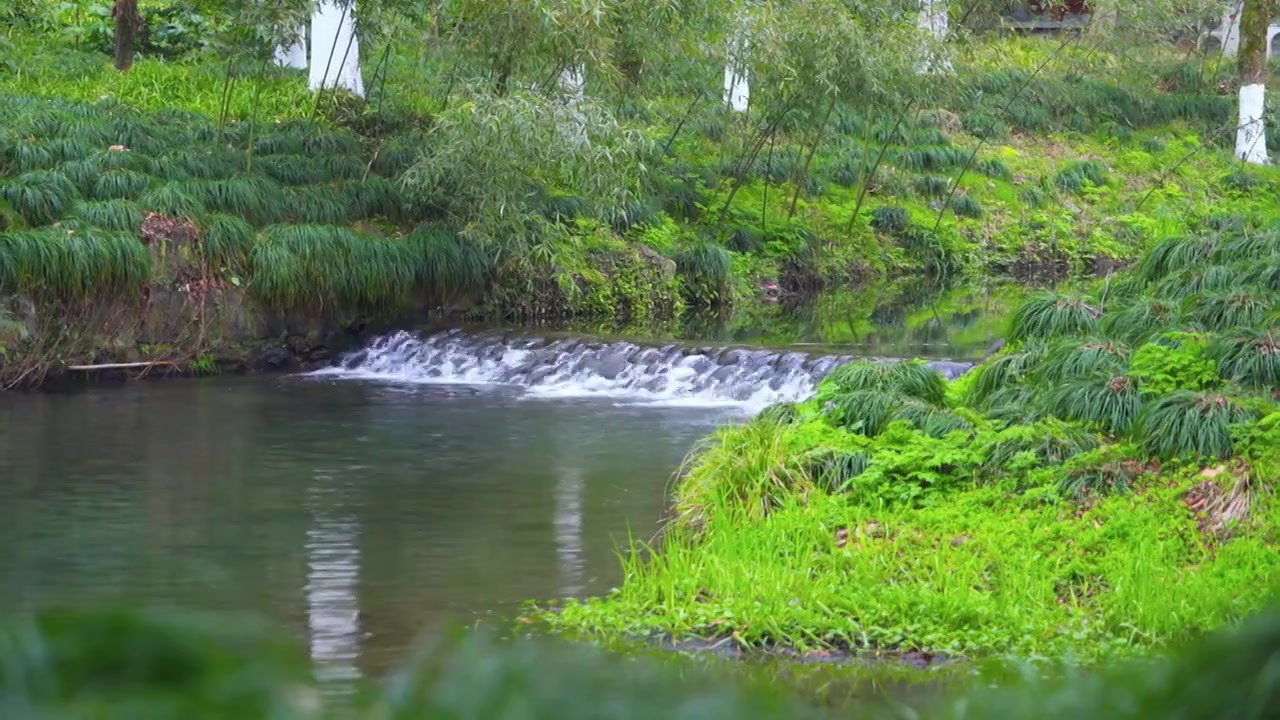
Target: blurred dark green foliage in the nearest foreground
(129, 666)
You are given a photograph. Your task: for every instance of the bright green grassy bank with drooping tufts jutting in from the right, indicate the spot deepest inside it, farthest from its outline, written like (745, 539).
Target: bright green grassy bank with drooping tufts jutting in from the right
(1103, 485)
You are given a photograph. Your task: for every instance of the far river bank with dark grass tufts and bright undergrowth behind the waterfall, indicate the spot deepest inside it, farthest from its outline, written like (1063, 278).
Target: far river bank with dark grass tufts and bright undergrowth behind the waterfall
(175, 230)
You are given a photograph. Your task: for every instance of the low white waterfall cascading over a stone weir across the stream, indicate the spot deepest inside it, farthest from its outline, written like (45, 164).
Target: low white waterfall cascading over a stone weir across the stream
(671, 375)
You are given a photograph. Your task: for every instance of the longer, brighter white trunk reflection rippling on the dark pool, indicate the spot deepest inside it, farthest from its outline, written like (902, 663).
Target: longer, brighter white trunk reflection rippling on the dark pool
(333, 575)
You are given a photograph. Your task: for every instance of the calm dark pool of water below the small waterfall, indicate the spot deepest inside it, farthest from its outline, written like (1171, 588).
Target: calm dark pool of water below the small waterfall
(355, 514)
